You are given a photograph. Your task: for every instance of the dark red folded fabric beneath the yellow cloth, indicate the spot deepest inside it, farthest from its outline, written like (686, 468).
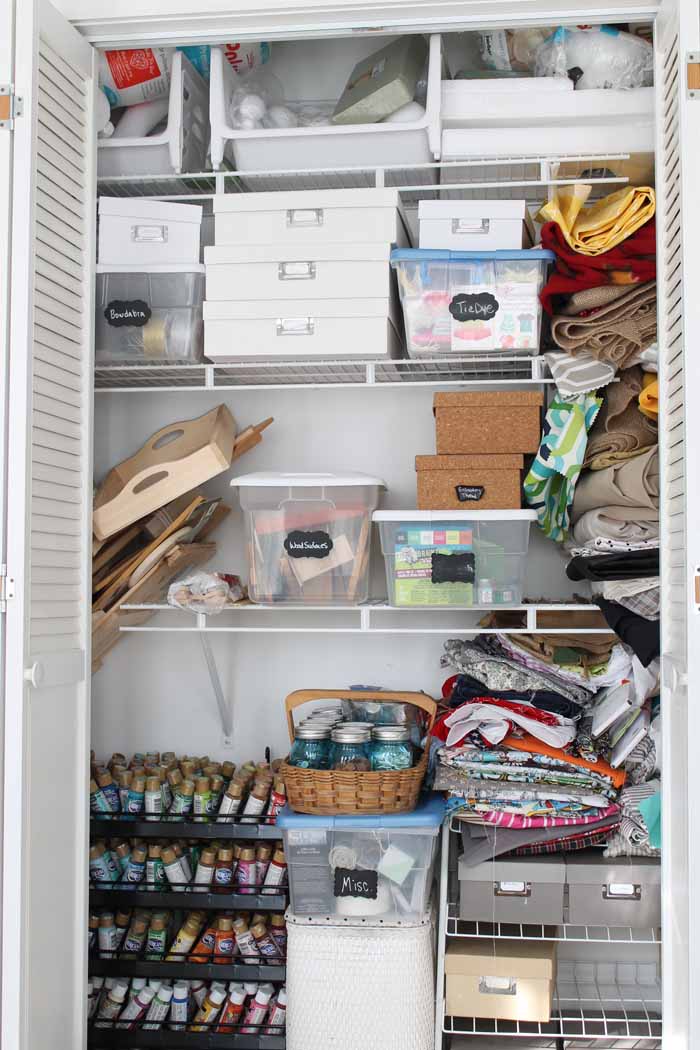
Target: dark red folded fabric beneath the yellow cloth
(631, 263)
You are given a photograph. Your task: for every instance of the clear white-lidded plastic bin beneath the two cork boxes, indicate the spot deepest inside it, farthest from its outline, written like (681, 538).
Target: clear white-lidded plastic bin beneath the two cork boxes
(455, 559)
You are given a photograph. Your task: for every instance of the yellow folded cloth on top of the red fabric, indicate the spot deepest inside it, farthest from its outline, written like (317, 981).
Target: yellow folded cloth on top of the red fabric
(606, 224)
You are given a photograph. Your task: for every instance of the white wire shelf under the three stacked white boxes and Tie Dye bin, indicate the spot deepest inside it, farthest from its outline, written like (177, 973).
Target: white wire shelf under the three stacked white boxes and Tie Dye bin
(265, 375)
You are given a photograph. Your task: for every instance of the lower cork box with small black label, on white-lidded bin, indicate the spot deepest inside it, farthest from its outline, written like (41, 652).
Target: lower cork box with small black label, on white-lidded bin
(470, 482)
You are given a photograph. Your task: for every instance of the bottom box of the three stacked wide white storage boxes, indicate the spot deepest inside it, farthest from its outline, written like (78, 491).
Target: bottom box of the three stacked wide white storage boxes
(280, 330)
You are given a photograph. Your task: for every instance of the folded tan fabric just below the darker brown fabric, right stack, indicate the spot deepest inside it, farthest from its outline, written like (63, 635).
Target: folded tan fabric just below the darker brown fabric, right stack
(629, 492)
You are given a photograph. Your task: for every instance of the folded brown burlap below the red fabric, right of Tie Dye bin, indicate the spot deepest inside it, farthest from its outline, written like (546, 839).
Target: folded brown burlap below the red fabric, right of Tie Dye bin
(611, 324)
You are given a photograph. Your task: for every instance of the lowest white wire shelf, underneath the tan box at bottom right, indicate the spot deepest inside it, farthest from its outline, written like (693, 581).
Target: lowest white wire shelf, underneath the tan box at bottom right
(625, 1014)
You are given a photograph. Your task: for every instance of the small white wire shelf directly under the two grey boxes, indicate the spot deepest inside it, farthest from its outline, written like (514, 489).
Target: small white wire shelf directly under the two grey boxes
(567, 933)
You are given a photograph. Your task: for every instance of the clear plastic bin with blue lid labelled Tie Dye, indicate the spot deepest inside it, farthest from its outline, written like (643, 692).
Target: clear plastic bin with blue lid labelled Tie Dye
(471, 303)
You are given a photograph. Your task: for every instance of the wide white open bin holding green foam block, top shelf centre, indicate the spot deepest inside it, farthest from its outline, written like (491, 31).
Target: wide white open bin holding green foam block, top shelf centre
(326, 146)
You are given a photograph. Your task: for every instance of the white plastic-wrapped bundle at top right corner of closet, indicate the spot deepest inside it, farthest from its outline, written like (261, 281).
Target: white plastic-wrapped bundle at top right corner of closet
(598, 57)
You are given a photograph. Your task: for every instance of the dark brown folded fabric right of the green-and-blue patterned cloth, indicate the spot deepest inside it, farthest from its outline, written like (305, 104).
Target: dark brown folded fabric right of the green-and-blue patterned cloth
(621, 431)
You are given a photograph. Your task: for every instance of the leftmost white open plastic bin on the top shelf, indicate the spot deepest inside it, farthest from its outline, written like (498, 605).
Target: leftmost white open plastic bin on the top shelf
(181, 146)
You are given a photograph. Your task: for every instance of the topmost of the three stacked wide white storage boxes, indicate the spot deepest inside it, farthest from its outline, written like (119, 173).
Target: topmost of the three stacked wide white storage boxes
(310, 218)
